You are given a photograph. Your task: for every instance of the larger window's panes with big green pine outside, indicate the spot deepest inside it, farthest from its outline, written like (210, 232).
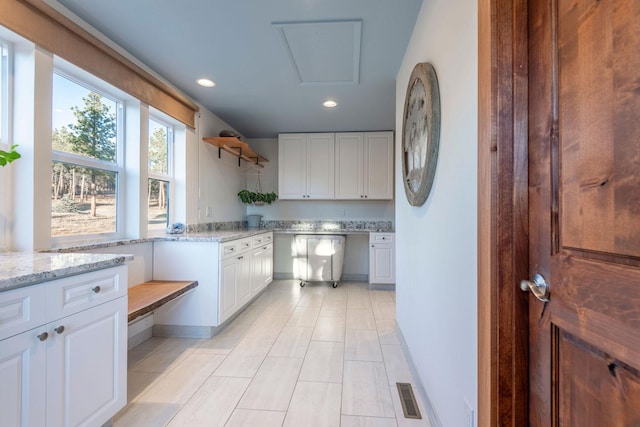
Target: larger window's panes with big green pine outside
(87, 161)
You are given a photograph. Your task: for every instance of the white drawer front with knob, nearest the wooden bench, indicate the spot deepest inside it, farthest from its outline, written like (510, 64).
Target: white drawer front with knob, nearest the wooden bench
(71, 295)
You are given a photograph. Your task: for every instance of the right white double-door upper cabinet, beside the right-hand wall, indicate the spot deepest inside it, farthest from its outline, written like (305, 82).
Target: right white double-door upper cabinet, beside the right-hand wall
(364, 165)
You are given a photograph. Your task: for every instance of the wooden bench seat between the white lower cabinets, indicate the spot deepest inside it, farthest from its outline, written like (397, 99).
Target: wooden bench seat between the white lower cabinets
(147, 296)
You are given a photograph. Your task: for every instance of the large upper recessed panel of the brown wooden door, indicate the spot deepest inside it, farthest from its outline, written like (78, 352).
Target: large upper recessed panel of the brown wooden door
(599, 127)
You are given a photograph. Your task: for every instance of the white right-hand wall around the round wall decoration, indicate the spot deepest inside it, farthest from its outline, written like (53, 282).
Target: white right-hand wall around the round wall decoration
(436, 243)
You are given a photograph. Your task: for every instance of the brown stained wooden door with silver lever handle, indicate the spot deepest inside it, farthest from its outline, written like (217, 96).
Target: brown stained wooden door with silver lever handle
(584, 204)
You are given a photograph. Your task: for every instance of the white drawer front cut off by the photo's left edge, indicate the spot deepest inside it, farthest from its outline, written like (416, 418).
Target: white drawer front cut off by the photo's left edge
(22, 309)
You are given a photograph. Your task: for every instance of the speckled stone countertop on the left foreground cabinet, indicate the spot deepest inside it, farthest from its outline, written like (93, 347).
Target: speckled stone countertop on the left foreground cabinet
(19, 269)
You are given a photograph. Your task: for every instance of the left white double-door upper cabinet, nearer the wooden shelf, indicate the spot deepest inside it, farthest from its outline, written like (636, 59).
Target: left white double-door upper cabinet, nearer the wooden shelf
(306, 166)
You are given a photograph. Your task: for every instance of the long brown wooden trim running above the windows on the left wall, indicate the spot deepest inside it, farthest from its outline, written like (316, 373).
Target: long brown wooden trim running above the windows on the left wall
(54, 32)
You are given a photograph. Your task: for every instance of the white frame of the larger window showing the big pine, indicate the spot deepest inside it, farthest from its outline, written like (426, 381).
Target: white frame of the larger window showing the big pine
(93, 84)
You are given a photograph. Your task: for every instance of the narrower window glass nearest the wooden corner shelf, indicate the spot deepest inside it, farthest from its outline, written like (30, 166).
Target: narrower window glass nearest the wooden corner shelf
(160, 174)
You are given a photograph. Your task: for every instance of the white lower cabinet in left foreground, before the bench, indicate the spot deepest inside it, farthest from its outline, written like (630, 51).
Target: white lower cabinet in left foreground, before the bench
(71, 371)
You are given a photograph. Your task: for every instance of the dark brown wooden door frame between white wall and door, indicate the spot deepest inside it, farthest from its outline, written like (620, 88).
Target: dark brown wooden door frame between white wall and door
(503, 246)
